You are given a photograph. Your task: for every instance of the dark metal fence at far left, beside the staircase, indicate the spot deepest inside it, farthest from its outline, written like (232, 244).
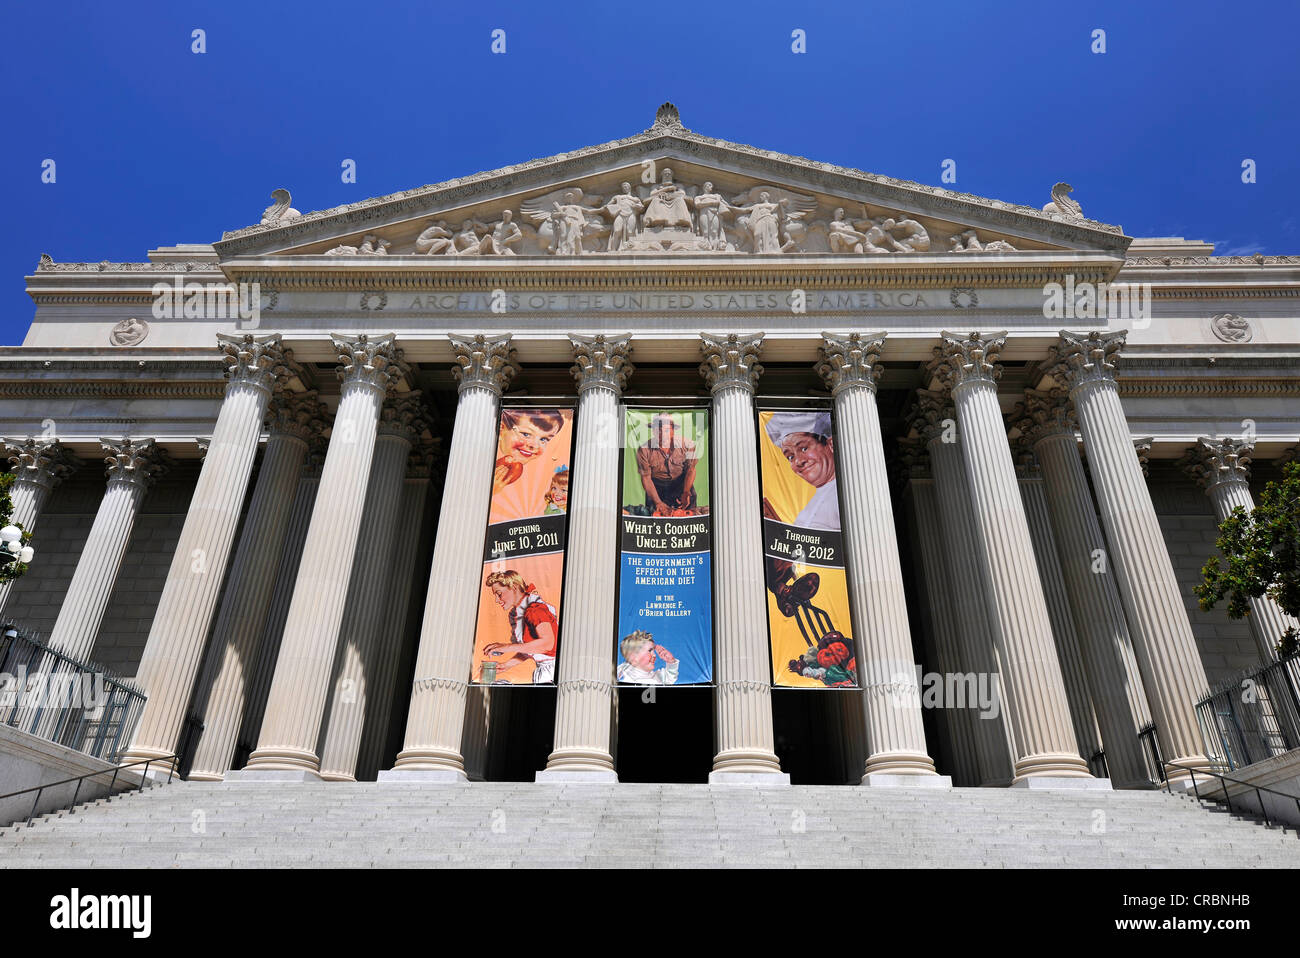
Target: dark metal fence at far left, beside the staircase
(79, 705)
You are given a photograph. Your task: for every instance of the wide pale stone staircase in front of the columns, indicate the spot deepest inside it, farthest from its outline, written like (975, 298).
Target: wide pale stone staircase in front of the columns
(509, 825)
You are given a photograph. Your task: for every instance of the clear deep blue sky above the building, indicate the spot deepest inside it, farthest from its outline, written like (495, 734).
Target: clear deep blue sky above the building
(155, 145)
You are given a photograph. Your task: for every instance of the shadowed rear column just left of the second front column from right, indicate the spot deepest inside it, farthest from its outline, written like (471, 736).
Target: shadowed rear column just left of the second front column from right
(937, 426)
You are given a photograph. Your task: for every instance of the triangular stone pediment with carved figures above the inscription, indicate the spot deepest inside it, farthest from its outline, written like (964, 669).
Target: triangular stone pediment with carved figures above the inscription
(671, 192)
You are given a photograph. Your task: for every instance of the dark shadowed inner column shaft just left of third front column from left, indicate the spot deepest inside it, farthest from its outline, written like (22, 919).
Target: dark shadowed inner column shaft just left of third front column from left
(393, 634)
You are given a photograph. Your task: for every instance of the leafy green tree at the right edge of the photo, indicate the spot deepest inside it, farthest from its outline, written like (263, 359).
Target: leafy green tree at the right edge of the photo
(1263, 557)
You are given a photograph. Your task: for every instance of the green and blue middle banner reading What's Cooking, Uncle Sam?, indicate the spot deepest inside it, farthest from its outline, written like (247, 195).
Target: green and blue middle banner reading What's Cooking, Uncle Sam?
(666, 628)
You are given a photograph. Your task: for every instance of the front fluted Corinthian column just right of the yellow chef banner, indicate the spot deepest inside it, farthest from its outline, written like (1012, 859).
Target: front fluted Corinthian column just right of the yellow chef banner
(896, 738)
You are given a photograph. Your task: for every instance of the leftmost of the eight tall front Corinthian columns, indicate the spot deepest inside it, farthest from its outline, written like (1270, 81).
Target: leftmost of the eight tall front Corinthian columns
(255, 369)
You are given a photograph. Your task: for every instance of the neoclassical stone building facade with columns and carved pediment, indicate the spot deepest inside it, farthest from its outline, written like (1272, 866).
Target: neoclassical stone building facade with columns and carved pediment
(1037, 419)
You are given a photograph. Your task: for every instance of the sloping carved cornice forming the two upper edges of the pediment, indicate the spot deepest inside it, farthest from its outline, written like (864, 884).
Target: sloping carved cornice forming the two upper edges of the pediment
(690, 146)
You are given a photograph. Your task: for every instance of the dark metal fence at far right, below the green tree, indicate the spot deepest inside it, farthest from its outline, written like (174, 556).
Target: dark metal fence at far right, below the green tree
(1255, 717)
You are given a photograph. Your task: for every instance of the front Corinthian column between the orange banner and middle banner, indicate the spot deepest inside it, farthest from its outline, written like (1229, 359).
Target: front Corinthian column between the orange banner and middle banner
(586, 687)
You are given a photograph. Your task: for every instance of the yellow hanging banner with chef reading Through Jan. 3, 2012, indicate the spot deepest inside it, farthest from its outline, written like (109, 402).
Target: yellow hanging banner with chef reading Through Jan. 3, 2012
(808, 593)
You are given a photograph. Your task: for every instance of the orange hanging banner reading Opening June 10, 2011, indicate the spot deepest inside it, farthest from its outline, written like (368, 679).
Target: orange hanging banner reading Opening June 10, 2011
(519, 606)
